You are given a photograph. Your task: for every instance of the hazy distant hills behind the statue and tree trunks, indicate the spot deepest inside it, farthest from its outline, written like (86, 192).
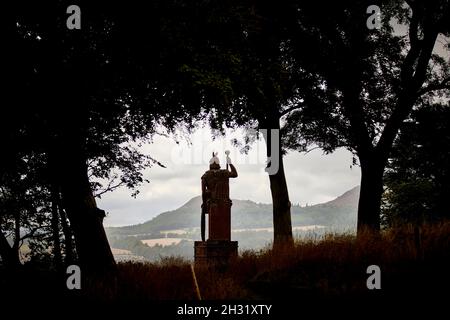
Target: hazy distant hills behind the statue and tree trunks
(246, 214)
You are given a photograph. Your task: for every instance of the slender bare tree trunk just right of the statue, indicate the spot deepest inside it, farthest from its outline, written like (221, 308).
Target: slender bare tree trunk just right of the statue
(282, 225)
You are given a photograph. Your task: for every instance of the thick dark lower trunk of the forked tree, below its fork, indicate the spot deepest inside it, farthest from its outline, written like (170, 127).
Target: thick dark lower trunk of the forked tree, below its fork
(369, 206)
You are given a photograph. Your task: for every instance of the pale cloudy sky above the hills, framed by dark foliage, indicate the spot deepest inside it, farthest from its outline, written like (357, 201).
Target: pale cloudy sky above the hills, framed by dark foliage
(312, 178)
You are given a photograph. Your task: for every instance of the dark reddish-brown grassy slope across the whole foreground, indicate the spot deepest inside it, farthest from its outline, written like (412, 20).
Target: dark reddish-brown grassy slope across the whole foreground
(414, 264)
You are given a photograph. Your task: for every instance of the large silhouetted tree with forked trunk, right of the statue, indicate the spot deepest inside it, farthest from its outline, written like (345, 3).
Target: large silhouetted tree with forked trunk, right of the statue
(368, 81)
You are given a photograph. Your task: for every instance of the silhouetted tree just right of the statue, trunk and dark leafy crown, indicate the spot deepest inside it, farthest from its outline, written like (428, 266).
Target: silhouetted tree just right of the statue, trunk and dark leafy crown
(241, 69)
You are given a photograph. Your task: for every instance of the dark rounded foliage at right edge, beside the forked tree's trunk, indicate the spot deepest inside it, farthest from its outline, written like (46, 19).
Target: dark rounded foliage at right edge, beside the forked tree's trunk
(417, 178)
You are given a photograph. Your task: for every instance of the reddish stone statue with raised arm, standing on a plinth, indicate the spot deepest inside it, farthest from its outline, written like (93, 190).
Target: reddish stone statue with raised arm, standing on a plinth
(216, 199)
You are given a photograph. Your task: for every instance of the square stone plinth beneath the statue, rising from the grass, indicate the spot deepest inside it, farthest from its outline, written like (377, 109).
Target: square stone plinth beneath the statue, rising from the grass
(215, 252)
